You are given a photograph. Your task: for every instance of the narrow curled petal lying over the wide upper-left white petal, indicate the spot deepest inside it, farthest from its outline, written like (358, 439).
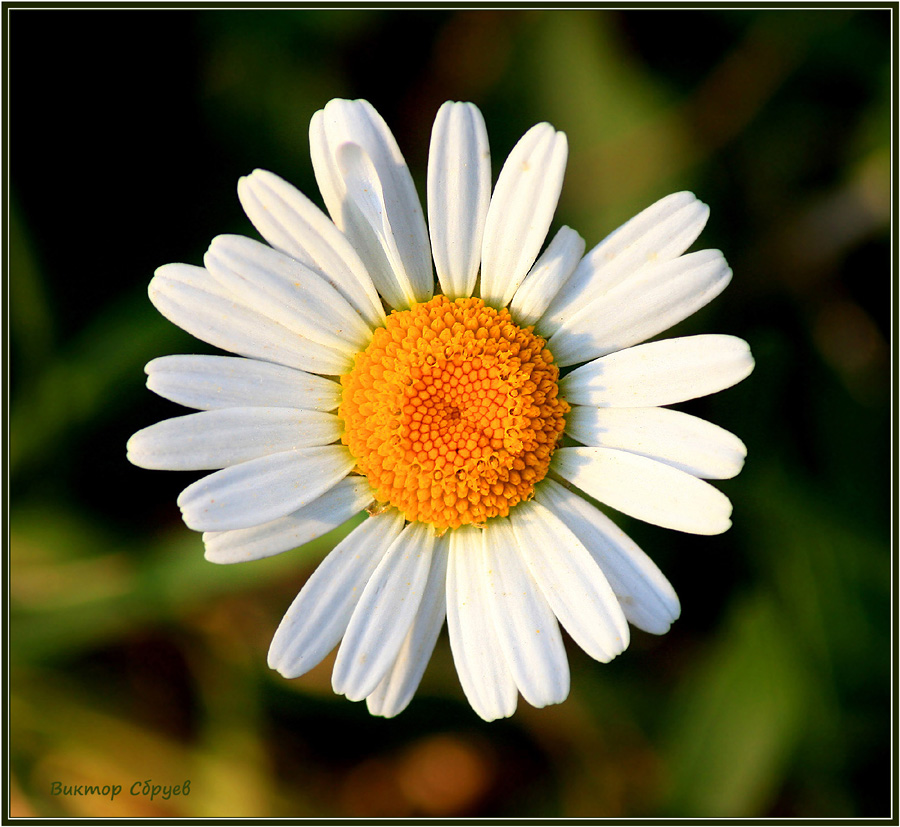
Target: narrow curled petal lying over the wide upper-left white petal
(368, 222)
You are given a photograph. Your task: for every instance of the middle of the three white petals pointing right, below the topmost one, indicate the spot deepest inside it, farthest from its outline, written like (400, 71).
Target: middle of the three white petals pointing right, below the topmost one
(677, 439)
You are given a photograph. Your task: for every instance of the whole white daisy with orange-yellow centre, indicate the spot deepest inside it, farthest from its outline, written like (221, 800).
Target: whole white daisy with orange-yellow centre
(441, 408)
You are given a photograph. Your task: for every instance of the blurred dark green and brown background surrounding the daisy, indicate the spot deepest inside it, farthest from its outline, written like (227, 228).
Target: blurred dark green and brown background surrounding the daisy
(132, 658)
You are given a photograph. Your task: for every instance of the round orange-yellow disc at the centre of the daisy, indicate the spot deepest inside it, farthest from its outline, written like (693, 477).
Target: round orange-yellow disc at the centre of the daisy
(452, 412)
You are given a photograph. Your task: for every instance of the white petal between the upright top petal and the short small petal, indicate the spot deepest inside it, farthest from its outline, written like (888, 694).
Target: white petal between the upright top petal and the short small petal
(521, 210)
